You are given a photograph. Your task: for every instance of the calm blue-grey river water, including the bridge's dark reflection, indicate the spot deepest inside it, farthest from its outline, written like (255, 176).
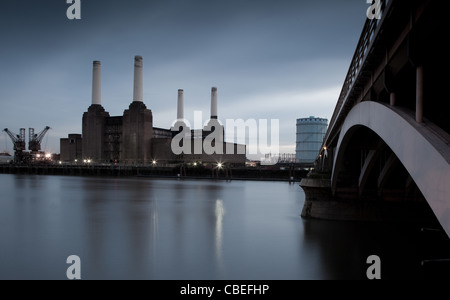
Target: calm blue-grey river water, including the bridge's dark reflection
(183, 229)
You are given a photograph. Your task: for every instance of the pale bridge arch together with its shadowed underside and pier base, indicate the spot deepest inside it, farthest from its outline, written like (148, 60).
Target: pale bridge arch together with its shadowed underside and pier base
(386, 166)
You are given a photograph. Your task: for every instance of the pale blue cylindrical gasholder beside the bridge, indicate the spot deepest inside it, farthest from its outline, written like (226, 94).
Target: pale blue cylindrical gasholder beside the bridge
(310, 134)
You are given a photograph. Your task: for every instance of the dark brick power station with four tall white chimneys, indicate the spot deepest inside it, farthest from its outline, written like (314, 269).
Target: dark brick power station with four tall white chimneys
(131, 139)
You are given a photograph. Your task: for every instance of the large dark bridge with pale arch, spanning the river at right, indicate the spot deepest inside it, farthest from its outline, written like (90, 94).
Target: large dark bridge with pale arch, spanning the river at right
(386, 154)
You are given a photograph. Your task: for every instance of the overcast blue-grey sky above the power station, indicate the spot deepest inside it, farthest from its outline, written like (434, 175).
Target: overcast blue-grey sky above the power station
(284, 59)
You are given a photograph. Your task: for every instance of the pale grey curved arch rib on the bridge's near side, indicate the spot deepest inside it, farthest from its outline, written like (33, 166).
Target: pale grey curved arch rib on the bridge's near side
(421, 148)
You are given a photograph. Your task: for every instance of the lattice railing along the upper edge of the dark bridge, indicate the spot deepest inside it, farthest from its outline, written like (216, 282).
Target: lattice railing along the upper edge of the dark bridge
(362, 51)
